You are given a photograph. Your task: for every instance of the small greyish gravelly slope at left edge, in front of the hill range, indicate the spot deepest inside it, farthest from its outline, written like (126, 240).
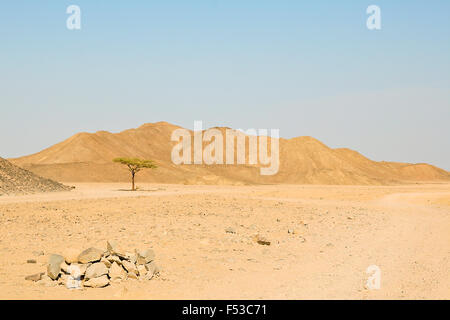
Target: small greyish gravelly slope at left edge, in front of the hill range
(15, 180)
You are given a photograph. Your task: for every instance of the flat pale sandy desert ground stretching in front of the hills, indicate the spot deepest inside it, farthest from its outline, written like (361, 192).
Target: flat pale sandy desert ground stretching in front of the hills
(338, 232)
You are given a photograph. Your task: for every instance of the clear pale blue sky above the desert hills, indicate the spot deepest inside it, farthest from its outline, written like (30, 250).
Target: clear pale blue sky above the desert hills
(305, 67)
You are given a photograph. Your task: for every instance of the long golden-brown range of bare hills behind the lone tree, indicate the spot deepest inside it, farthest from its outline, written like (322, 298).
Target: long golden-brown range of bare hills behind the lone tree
(304, 160)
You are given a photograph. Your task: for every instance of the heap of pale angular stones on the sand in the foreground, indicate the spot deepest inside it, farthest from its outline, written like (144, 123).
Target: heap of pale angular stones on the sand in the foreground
(97, 268)
